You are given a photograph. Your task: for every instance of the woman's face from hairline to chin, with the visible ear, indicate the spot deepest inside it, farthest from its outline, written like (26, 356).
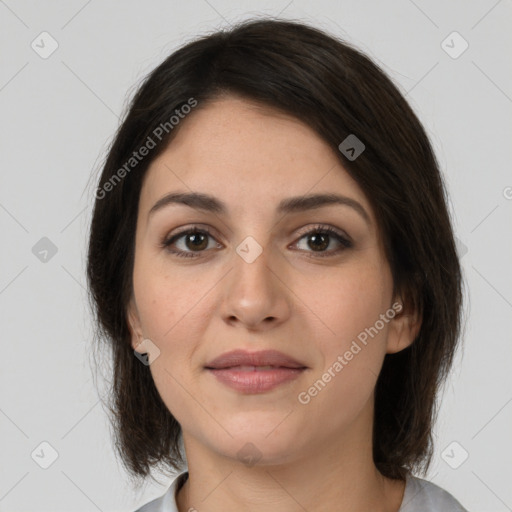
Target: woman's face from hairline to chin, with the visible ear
(258, 281)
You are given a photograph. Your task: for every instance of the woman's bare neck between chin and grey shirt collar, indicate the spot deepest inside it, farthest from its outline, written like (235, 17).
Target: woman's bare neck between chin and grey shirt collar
(338, 473)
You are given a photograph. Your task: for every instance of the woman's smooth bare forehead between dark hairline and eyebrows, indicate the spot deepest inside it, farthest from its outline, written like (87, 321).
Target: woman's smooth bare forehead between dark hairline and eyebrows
(249, 156)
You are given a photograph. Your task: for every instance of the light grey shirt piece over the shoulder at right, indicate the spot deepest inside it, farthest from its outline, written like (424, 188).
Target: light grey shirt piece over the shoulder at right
(420, 495)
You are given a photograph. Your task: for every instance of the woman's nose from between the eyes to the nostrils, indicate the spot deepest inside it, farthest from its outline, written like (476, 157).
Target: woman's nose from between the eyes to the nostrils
(256, 295)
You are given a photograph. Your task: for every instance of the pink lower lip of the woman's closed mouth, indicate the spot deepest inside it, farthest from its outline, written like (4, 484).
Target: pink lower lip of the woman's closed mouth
(255, 381)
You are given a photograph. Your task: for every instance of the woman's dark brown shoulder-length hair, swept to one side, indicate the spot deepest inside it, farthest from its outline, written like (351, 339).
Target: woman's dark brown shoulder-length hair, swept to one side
(337, 91)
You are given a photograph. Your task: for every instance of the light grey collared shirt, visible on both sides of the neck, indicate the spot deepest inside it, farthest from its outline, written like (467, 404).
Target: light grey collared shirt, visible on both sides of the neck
(419, 496)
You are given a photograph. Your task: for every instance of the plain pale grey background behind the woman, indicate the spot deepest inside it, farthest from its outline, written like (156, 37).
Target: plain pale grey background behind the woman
(59, 113)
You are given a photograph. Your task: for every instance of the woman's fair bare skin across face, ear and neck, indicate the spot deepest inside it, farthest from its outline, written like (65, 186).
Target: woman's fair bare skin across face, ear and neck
(315, 456)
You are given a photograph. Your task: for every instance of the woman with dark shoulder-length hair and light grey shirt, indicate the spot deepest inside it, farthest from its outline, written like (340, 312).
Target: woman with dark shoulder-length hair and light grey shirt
(272, 261)
